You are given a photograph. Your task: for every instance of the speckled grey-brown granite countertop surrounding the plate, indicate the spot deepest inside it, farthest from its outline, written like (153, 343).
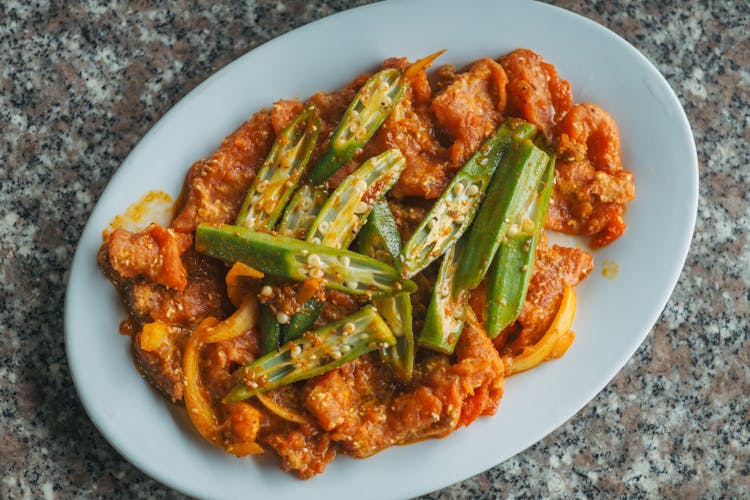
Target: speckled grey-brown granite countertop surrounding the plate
(83, 82)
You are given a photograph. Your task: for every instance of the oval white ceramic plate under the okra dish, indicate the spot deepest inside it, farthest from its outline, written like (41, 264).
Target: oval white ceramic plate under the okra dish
(613, 316)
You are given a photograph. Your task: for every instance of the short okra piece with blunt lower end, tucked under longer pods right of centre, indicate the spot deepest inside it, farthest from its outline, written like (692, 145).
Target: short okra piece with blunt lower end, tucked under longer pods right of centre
(447, 310)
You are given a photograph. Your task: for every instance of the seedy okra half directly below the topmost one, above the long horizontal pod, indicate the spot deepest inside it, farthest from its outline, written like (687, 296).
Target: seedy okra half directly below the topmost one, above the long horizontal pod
(346, 210)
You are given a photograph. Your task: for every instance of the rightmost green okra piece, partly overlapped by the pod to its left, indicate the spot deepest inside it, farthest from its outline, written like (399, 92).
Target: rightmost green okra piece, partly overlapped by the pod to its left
(509, 276)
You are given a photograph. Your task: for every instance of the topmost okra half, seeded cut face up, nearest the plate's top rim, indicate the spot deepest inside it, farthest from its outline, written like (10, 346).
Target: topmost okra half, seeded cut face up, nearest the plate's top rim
(367, 111)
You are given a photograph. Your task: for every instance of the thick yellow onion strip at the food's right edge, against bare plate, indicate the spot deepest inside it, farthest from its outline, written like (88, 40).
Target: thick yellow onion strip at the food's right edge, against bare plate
(555, 340)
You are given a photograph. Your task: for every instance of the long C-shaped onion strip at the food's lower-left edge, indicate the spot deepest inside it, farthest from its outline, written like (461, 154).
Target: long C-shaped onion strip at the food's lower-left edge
(201, 412)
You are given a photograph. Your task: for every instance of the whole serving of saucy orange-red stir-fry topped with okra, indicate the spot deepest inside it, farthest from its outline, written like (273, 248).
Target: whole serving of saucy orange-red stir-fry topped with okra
(365, 268)
